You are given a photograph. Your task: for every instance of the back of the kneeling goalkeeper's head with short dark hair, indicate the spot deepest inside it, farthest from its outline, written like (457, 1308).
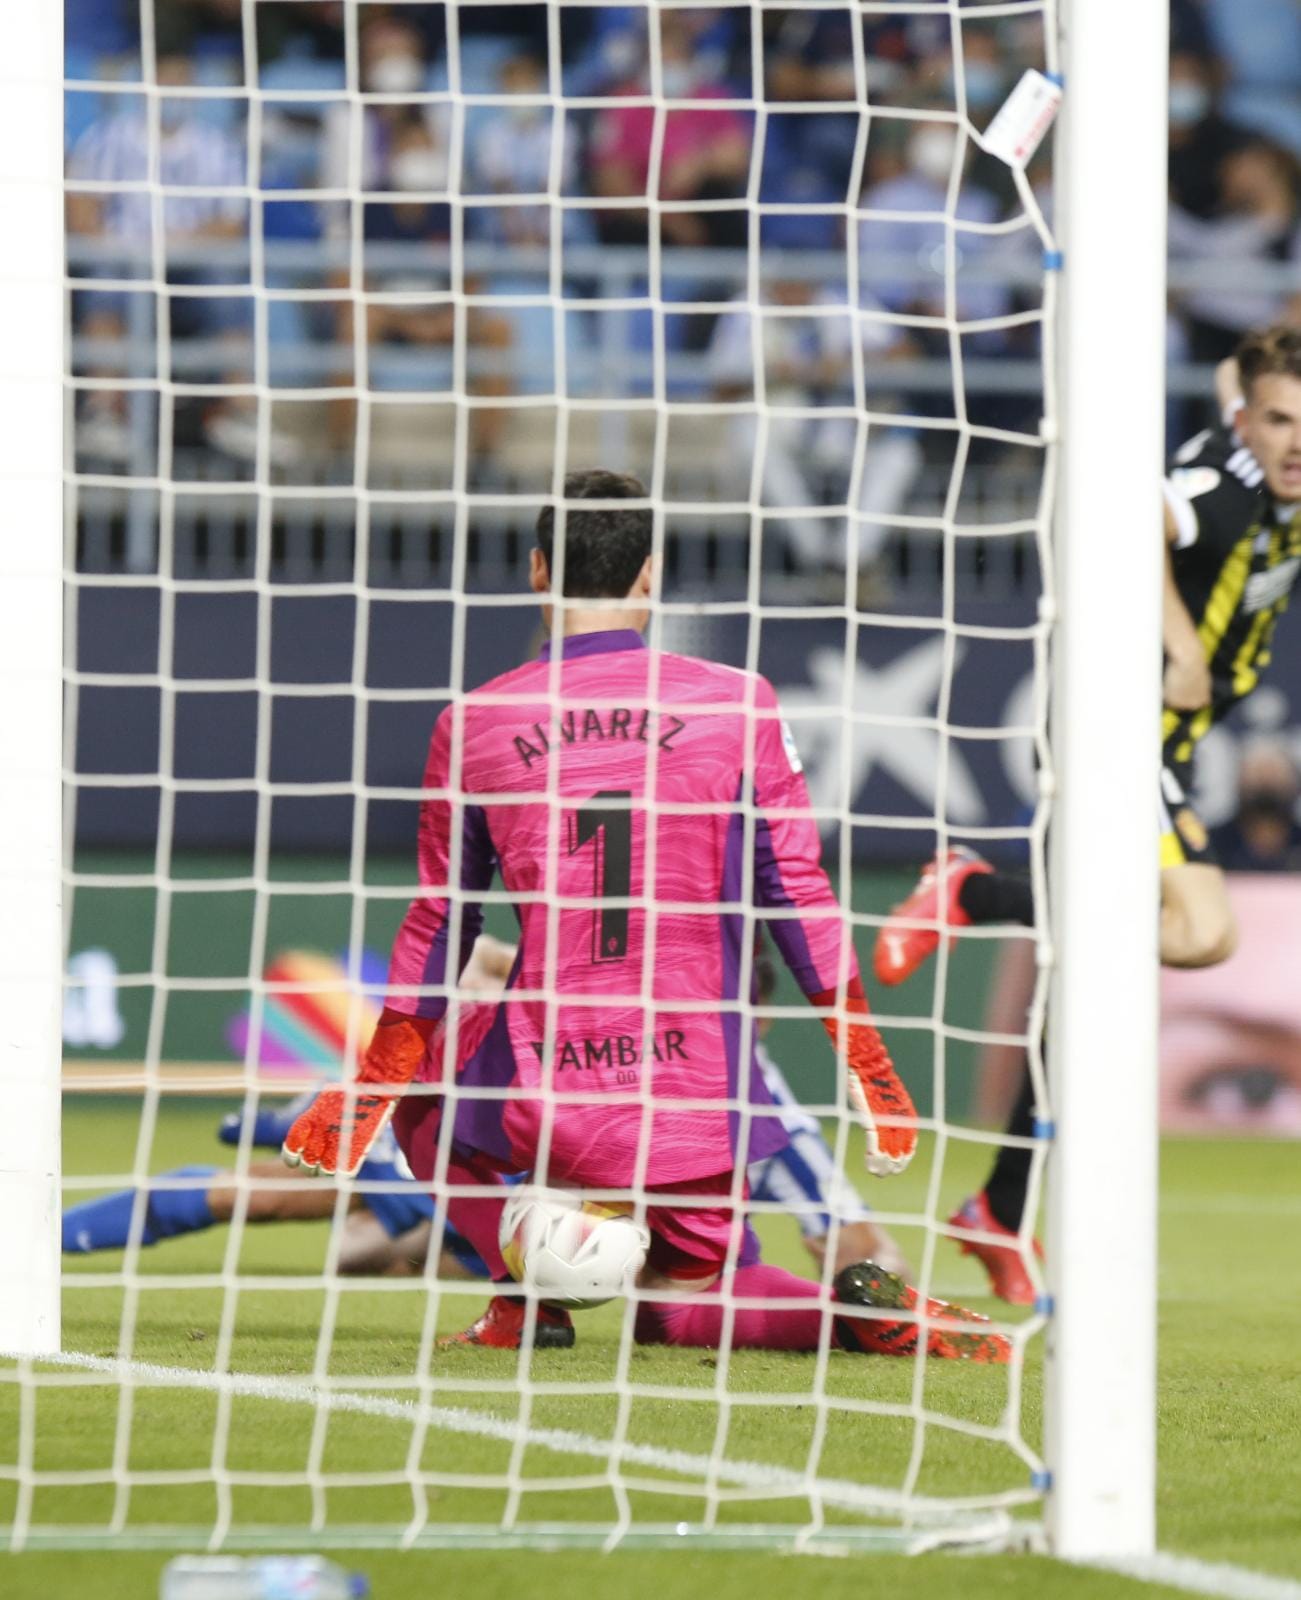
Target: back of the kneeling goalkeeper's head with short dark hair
(604, 550)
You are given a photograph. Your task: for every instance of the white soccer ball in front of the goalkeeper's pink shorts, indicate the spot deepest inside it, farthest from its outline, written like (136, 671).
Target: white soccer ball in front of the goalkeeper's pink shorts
(570, 1250)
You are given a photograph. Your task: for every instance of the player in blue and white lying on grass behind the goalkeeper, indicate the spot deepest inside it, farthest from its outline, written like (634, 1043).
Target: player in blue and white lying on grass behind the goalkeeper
(390, 1231)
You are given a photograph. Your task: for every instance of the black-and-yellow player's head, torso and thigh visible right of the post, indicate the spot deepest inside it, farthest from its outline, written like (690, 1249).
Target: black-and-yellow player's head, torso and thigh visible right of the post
(1233, 524)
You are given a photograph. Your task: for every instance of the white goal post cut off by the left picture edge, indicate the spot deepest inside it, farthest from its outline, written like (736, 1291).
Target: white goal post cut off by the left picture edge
(31, 676)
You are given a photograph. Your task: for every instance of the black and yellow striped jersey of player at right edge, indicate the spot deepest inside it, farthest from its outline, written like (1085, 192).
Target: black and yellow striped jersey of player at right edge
(1236, 561)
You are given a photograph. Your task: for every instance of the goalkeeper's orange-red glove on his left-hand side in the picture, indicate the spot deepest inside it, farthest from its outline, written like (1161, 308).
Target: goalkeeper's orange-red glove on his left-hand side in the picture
(393, 1060)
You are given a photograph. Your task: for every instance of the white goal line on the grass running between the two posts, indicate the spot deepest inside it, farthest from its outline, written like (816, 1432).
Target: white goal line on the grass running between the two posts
(843, 1494)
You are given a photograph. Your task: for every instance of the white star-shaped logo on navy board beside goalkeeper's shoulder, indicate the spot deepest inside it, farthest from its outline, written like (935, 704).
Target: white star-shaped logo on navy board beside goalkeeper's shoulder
(891, 727)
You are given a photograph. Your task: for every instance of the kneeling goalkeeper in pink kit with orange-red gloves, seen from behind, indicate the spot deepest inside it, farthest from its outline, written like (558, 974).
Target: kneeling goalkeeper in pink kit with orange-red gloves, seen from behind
(642, 810)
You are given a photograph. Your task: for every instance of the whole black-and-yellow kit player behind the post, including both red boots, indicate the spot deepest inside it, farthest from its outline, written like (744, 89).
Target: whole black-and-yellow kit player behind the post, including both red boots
(1233, 529)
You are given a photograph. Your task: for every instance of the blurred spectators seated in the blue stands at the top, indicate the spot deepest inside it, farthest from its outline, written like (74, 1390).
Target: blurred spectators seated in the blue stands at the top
(514, 190)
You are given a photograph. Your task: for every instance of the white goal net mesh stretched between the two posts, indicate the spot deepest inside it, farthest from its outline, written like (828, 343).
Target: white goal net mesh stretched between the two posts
(351, 290)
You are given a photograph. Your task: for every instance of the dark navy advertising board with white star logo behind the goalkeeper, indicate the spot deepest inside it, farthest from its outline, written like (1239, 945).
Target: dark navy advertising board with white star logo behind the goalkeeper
(883, 719)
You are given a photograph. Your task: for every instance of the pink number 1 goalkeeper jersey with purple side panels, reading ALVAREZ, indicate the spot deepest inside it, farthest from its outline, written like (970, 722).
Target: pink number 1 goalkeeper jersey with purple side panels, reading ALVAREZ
(646, 977)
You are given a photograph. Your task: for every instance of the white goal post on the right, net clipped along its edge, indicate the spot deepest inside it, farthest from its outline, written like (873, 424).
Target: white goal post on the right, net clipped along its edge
(1100, 1391)
